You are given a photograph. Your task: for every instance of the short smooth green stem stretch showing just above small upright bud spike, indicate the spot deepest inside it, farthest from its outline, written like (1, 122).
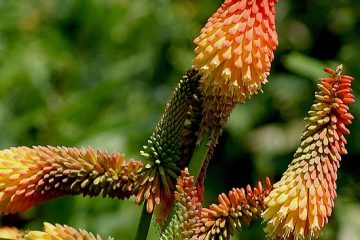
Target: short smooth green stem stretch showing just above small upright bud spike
(199, 157)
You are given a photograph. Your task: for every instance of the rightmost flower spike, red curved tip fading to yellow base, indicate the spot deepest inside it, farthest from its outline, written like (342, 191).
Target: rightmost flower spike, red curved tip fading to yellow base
(301, 202)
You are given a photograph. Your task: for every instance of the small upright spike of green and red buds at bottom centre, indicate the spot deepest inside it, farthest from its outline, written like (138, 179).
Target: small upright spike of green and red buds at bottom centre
(187, 210)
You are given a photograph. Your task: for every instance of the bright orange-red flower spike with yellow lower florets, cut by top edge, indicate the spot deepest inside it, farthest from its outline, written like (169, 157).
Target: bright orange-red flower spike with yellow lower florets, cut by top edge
(235, 48)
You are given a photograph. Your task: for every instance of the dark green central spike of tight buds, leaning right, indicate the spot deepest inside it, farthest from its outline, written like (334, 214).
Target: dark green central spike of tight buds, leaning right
(163, 152)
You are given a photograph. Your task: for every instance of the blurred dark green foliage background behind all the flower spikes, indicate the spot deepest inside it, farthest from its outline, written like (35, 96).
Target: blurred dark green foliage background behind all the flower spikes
(98, 73)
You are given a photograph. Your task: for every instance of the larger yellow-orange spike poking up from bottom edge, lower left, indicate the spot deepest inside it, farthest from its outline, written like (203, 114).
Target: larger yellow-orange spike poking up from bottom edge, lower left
(59, 232)
